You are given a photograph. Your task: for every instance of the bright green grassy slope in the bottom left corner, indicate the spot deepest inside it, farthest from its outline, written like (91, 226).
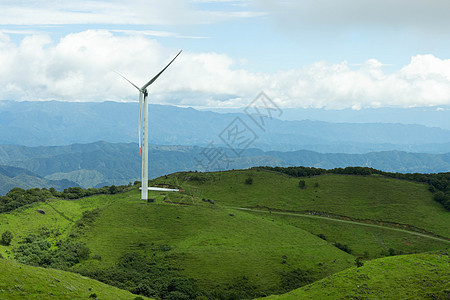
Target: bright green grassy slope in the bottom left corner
(18, 281)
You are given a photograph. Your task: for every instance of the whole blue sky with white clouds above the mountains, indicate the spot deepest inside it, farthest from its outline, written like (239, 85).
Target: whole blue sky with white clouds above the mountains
(332, 54)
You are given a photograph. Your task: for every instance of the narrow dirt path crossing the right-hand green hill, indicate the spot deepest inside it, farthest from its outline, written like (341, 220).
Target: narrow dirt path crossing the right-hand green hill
(344, 221)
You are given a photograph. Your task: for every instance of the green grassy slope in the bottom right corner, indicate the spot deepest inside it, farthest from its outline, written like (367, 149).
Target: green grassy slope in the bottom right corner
(418, 276)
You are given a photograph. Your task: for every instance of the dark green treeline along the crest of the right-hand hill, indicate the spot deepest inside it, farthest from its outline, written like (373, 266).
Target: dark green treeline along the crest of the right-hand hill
(439, 183)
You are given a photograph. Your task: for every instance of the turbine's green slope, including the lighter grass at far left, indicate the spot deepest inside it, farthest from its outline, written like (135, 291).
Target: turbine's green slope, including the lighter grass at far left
(195, 239)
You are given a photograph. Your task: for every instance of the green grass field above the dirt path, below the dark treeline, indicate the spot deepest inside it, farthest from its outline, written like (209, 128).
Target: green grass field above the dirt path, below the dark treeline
(363, 197)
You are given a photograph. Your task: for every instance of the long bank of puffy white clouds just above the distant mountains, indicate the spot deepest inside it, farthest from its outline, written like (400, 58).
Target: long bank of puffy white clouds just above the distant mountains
(78, 68)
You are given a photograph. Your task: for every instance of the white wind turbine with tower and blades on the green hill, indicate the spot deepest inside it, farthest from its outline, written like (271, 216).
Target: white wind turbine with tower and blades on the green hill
(144, 148)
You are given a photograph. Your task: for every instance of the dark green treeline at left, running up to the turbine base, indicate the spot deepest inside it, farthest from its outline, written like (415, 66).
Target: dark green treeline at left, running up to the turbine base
(18, 197)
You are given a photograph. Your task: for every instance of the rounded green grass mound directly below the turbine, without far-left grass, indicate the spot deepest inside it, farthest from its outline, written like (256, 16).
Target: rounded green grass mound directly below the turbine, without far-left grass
(210, 245)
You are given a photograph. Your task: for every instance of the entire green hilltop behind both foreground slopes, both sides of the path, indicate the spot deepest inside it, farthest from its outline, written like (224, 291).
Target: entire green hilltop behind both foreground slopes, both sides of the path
(243, 233)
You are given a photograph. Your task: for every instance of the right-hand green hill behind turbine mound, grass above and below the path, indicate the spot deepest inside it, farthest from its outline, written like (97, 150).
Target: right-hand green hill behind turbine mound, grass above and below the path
(371, 214)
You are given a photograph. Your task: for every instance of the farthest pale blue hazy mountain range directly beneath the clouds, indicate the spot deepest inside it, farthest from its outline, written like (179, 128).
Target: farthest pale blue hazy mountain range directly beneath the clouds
(62, 123)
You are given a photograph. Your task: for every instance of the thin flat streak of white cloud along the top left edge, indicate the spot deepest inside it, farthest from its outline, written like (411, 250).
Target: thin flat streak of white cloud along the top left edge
(138, 12)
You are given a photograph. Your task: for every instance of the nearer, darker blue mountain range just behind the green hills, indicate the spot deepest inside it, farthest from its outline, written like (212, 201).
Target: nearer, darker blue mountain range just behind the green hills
(101, 163)
